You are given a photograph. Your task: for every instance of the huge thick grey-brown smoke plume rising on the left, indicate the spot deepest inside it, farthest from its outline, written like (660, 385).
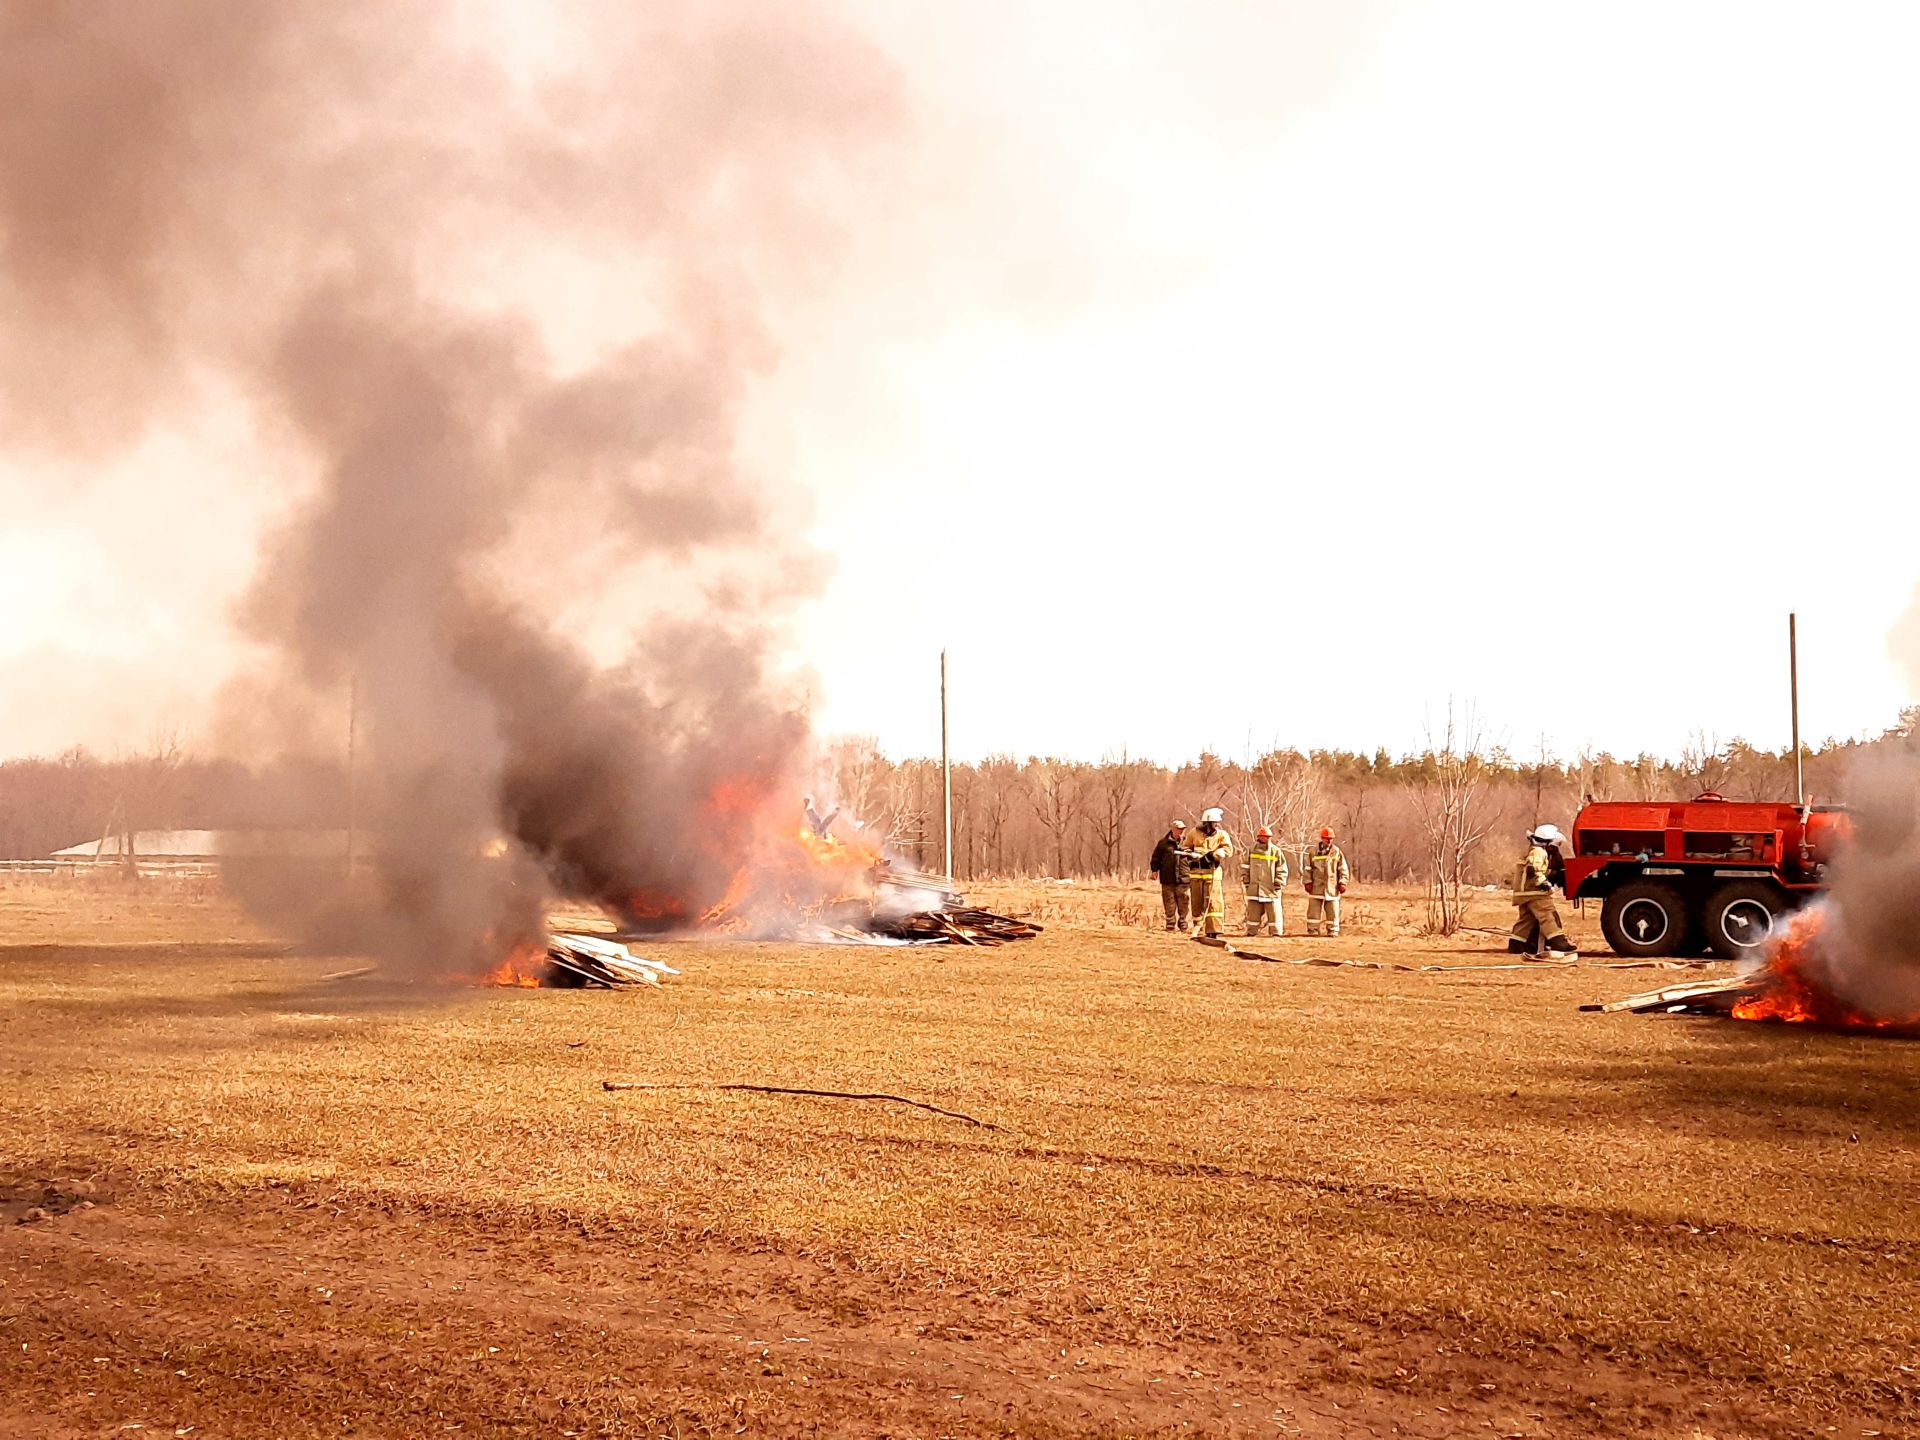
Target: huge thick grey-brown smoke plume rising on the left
(350, 220)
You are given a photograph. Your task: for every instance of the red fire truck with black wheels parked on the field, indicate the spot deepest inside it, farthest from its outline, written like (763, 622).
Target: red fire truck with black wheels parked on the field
(1675, 878)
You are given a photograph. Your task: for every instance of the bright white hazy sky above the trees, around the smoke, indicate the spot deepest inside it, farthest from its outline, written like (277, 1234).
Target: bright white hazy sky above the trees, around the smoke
(1230, 375)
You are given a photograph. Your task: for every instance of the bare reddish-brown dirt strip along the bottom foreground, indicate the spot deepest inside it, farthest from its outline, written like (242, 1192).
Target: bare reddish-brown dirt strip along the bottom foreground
(302, 1318)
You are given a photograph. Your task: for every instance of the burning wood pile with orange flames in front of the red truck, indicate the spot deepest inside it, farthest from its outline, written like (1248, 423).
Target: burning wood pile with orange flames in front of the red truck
(1794, 988)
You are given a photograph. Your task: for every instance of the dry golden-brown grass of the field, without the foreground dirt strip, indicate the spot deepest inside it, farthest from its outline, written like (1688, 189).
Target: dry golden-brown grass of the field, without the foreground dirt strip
(1197, 1155)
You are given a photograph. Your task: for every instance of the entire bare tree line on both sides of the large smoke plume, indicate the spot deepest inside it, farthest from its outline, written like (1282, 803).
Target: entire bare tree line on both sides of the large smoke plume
(1447, 817)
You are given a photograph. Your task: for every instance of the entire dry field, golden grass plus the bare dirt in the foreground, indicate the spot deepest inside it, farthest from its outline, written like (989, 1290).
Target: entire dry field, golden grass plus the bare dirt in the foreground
(1216, 1197)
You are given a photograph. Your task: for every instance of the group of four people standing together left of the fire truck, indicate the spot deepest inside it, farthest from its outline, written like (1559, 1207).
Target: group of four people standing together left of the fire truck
(1193, 880)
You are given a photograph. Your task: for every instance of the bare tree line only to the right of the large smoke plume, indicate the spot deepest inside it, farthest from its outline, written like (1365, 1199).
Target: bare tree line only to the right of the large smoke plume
(1449, 817)
